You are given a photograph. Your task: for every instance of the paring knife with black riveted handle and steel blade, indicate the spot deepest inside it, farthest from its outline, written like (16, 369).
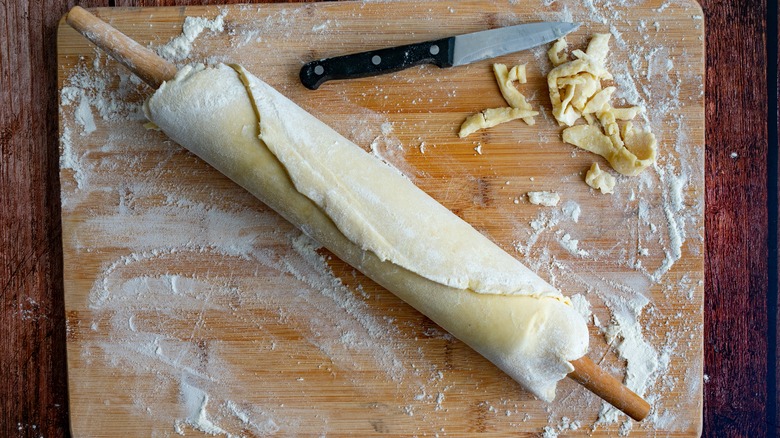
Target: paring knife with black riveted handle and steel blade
(446, 52)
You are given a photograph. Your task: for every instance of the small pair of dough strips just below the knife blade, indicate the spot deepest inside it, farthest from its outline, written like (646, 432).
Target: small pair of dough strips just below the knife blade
(519, 108)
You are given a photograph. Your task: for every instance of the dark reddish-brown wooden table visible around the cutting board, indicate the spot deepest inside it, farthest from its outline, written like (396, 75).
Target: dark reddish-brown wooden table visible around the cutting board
(741, 218)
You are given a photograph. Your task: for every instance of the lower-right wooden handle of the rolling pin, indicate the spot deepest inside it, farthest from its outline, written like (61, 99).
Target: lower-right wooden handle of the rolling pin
(592, 377)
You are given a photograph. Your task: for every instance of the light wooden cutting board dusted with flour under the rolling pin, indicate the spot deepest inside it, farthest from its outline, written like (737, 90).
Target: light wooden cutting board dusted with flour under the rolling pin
(192, 308)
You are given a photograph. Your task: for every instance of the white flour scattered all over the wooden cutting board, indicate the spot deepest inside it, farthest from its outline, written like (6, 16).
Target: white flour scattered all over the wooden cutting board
(136, 307)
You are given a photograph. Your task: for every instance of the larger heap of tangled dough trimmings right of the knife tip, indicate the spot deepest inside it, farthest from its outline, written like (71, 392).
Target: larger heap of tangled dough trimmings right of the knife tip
(576, 91)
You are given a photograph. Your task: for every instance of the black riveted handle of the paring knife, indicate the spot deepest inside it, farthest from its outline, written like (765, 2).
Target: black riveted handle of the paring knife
(377, 62)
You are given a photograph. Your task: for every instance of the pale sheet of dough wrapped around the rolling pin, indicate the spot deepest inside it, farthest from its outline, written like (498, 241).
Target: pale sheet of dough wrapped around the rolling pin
(375, 219)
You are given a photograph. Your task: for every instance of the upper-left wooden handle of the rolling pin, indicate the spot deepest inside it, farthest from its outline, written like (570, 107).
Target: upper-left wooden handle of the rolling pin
(146, 64)
